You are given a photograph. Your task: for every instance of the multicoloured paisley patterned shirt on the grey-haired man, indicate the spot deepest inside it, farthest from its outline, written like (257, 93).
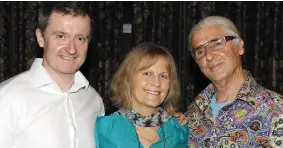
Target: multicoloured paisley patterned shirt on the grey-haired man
(254, 119)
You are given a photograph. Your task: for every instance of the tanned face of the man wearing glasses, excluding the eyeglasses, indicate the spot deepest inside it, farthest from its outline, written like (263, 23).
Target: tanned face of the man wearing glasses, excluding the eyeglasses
(221, 64)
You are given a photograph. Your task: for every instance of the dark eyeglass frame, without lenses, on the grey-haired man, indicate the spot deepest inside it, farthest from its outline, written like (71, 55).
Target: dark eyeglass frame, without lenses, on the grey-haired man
(227, 38)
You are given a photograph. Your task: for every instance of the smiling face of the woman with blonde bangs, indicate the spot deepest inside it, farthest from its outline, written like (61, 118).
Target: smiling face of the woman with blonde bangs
(149, 88)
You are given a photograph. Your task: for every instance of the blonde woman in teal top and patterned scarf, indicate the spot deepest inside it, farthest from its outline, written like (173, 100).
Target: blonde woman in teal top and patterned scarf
(146, 90)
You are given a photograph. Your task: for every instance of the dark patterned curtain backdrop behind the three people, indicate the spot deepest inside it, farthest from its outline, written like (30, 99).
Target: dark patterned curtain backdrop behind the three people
(164, 23)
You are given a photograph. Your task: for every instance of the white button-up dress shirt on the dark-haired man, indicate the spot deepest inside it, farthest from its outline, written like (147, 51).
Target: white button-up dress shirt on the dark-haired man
(35, 113)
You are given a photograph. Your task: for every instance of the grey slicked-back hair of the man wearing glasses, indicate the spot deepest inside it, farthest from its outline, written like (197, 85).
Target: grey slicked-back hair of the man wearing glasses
(224, 23)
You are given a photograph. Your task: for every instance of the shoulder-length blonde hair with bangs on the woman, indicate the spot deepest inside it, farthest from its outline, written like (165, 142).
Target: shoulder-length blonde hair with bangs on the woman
(142, 57)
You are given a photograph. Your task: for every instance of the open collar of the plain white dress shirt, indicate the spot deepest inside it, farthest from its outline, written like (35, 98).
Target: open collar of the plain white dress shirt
(40, 77)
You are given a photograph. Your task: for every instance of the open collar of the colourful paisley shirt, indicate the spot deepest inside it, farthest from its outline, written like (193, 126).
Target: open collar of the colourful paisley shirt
(248, 88)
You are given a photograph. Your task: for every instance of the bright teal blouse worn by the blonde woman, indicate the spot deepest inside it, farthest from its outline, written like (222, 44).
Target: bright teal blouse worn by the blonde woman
(115, 131)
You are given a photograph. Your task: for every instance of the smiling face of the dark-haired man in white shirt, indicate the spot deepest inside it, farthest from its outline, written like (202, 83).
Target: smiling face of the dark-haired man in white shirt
(65, 42)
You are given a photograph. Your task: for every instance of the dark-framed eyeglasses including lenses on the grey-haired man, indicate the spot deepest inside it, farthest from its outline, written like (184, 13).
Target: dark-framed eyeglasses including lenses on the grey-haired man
(214, 44)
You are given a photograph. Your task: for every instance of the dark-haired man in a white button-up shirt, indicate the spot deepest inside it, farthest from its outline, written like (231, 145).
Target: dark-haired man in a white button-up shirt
(52, 105)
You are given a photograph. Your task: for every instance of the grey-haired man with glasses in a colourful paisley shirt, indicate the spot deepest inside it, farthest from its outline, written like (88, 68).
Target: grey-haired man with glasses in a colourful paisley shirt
(233, 111)
